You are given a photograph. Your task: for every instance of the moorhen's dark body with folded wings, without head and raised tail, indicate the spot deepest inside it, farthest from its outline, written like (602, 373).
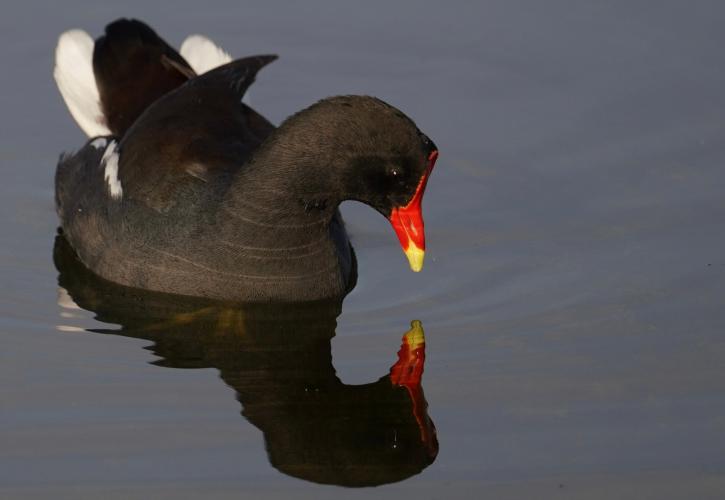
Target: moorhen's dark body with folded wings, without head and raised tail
(197, 216)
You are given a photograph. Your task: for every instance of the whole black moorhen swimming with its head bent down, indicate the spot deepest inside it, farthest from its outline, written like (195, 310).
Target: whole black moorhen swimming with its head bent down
(190, 191)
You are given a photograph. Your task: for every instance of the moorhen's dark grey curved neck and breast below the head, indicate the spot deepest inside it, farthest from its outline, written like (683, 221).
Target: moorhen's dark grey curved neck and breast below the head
(279, 219)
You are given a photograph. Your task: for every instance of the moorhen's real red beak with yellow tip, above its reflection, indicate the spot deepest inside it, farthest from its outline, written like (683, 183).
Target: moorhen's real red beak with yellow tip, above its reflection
(408, 224)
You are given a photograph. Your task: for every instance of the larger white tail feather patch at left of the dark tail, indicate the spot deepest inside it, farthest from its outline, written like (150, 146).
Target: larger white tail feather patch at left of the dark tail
(74, 75)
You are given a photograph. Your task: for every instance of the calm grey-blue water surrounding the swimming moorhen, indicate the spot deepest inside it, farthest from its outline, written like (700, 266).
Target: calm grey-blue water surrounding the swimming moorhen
(572, 298)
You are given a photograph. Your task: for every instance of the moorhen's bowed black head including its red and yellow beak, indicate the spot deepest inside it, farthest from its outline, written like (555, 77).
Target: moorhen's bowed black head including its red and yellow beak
(366, 150)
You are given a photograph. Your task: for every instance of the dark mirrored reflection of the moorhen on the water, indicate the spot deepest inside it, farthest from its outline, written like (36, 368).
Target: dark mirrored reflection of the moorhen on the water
(278, 360)
